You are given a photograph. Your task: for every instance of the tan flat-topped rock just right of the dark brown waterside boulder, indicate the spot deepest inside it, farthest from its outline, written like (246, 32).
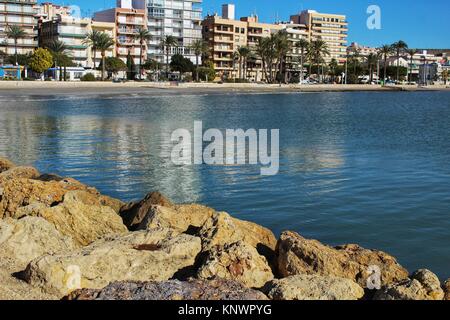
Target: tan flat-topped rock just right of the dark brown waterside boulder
(180, 217)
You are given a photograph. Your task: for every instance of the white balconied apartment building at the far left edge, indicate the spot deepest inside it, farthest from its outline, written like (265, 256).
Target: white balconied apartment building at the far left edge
(22, 14)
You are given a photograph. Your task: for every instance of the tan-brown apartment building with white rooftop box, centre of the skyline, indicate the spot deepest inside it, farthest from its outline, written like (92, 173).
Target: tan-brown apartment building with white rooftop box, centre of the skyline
(224, 35)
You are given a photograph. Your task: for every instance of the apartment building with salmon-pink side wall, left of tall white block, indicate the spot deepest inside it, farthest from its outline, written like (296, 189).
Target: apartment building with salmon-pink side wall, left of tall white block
(128, 20)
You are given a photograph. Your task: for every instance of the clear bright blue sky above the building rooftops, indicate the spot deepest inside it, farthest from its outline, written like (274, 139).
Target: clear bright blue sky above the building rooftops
(420, 23)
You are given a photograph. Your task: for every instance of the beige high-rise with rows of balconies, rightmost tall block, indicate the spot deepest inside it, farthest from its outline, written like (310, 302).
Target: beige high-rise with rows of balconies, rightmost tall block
(331, 28)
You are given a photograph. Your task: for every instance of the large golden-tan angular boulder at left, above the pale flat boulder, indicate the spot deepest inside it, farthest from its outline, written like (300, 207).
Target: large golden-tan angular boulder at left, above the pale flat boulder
(80, 216)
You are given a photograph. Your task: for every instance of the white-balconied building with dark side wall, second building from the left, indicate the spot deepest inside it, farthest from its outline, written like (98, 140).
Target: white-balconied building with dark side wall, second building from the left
(70, 30)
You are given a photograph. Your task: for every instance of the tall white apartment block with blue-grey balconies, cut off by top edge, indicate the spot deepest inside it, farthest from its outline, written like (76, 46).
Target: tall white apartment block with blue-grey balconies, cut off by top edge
(178, 18)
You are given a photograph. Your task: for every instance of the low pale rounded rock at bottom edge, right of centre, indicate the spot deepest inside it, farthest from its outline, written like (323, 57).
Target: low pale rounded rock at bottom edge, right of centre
(313, 287)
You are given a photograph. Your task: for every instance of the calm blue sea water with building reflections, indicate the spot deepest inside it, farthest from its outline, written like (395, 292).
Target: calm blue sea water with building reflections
(367, 168)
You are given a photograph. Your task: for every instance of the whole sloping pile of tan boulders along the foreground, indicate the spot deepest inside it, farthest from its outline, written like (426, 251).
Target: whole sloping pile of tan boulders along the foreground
(62, 239)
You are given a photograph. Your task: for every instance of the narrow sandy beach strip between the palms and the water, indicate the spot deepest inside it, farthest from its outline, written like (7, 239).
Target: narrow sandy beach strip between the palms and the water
(39, 88)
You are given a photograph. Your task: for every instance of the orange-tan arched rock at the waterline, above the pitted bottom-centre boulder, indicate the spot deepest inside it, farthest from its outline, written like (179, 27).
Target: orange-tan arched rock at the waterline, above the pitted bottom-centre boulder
(222, 229)
